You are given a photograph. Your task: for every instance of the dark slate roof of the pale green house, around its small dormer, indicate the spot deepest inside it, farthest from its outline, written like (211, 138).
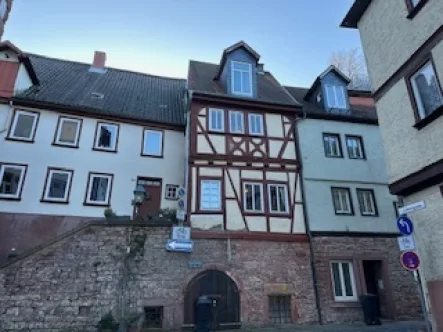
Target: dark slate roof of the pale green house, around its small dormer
(358, 113)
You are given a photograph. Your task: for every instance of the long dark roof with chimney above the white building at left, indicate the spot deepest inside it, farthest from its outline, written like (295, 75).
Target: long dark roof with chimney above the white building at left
(125, 94)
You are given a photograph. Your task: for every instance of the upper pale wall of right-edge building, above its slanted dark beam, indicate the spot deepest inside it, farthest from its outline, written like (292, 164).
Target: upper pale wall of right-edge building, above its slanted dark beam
(389, 38)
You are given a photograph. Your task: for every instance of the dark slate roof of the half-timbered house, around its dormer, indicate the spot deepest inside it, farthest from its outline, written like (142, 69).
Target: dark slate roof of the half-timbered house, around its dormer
(201, 78)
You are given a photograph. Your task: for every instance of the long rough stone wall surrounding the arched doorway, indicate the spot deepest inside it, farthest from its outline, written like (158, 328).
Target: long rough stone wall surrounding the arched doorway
(72, 283)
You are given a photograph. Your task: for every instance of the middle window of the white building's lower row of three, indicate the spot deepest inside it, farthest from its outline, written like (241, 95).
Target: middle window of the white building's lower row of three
(58, 185)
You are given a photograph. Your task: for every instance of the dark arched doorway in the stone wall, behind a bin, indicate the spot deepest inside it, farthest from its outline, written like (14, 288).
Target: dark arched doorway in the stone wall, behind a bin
(222, 290)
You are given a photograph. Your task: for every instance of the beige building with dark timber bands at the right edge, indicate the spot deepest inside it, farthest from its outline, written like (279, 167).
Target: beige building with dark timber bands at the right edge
(402, 42)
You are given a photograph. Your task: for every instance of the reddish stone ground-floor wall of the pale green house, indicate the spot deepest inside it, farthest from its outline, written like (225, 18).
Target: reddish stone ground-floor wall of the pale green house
(400, 299)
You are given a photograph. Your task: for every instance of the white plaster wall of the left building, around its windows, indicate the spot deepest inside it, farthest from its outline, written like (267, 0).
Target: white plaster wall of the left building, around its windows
(126, 165)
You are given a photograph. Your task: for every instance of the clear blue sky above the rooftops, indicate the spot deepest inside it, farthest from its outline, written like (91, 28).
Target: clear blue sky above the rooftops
(295, 38)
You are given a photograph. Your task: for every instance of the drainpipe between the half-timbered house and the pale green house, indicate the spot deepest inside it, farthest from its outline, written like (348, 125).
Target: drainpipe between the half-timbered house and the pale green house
(306, 215)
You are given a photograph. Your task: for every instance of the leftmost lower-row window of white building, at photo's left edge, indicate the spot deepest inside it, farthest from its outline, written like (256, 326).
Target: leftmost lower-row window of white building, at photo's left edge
(11, 180)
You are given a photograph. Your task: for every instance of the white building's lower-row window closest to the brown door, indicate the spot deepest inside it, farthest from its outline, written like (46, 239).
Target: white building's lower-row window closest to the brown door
(99, 189)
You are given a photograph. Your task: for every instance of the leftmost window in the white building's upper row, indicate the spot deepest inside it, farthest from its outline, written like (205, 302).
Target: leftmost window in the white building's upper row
(23, 126)
